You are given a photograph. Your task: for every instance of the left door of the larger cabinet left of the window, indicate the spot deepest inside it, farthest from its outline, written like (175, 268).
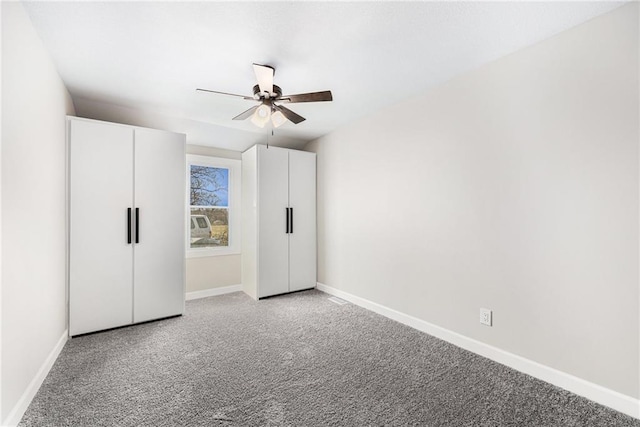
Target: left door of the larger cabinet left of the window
(100, 257)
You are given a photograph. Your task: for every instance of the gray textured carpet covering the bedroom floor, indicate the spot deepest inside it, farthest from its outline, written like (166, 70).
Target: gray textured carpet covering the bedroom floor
(294, 360)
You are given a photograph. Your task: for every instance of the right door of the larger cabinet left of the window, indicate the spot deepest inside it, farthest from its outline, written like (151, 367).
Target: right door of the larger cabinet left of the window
(160, 200)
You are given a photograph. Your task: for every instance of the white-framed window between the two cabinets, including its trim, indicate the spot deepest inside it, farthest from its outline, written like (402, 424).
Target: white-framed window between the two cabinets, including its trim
(214, 208)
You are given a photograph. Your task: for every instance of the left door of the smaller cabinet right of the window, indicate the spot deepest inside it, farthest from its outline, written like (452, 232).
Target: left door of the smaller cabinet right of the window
(273, 240)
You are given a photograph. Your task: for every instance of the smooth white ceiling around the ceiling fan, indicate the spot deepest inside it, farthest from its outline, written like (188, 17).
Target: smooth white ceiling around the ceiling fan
(140, 62)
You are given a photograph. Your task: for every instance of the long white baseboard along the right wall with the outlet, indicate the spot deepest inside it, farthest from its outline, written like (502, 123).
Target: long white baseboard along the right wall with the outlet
(602, 395)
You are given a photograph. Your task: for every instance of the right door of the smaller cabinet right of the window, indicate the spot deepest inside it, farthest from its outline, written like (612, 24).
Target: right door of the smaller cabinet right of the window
(302, 240)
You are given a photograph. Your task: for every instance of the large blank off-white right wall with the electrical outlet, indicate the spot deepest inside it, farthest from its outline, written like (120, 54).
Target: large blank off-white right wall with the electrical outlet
(512, 187)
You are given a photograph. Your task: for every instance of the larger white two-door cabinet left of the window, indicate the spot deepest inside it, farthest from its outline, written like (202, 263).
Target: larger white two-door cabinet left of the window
(126, 224)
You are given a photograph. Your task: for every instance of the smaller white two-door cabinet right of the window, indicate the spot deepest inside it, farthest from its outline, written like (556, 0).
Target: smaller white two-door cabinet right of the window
(279, 221)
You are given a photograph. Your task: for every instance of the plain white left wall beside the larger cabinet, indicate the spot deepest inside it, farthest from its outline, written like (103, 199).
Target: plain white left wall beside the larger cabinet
(34, 105)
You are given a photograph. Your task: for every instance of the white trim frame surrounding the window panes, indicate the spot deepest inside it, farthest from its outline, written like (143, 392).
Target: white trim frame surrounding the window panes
(235, 214)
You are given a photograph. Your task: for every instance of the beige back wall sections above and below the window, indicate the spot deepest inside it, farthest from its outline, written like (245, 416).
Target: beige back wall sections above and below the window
(215, 271)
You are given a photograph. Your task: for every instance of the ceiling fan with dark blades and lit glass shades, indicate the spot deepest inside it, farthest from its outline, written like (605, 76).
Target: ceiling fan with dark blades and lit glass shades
(270, 98)
